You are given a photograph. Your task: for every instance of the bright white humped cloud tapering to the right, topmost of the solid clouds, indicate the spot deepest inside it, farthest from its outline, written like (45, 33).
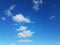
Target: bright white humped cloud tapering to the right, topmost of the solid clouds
(20, 18)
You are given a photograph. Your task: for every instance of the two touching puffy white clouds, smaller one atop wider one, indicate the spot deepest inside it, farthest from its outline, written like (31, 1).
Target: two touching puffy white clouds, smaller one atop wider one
(24, 32)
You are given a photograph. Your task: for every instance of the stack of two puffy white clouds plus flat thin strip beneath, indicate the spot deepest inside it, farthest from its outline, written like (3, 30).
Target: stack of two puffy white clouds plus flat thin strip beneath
(24, 34)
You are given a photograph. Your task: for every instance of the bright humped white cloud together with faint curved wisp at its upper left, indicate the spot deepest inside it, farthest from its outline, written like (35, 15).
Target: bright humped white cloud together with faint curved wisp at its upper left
(18, 17)
